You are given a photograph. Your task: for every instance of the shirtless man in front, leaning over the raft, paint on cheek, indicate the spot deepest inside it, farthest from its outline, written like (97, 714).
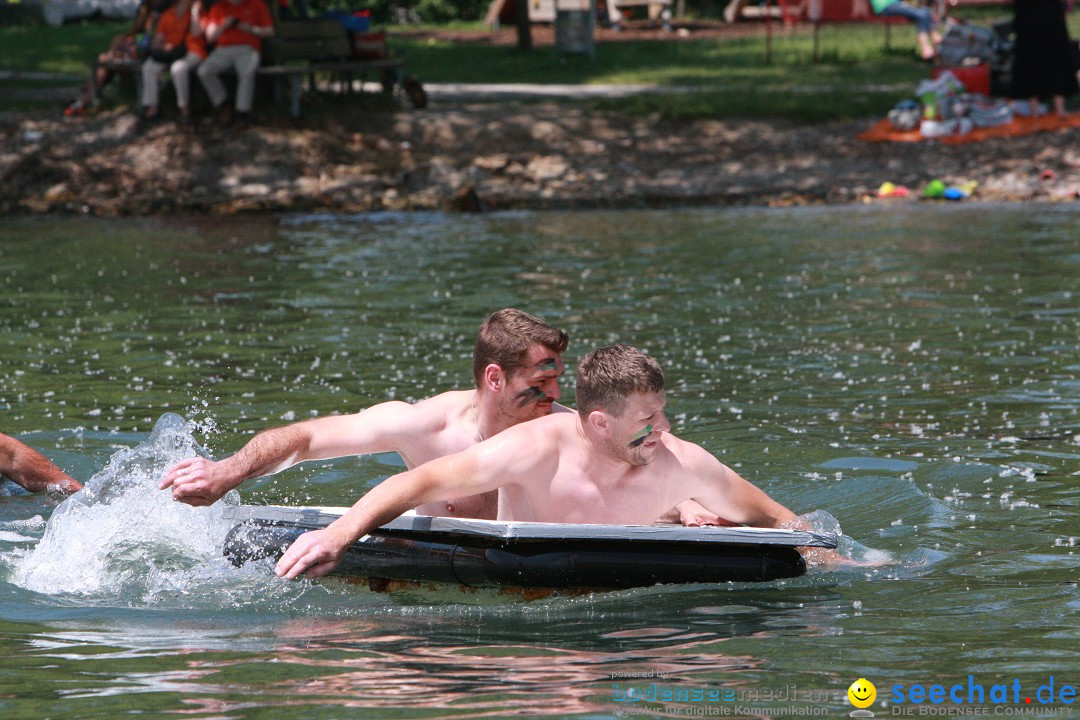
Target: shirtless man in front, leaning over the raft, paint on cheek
(613, 463)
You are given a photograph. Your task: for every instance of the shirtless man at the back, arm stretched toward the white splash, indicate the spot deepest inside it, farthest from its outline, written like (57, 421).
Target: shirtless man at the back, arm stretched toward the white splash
(517, 366)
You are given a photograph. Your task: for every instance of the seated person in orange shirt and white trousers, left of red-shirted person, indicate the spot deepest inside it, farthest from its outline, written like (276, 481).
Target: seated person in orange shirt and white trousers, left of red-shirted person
(179, 45)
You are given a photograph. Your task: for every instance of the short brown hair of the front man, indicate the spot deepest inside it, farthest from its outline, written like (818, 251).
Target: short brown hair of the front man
(609, 376)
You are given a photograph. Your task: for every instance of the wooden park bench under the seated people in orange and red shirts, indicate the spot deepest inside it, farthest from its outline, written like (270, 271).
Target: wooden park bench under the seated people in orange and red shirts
(300, 49)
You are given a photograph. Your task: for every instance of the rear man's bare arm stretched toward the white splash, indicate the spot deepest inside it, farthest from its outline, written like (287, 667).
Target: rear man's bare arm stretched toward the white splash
(384, 428)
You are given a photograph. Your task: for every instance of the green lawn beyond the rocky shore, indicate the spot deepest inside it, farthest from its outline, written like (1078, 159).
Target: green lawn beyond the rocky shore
(858, 75)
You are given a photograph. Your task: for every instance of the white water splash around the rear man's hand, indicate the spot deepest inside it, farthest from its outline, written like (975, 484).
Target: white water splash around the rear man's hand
(123, 539)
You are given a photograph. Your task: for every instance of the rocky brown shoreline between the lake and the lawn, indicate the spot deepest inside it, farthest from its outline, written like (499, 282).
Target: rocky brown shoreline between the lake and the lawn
(484, 157)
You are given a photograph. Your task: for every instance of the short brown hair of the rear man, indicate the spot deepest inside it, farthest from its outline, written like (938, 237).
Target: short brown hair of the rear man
(506, 337)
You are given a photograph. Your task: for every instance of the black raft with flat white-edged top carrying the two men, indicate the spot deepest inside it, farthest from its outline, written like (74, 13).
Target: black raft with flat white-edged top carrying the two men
(418, 549)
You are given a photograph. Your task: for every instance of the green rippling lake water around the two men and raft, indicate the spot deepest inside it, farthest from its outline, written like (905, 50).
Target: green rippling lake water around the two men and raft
(914, 372)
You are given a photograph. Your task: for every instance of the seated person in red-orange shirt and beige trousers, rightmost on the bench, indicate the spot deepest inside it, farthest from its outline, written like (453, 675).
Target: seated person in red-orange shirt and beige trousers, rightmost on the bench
(237, 29)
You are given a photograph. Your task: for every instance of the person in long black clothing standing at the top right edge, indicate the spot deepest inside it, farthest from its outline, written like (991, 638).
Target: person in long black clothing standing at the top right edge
(1044, 65)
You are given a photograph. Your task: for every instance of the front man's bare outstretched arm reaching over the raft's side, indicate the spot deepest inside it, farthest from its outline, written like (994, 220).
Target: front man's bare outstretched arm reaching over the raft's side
(481, 469)
